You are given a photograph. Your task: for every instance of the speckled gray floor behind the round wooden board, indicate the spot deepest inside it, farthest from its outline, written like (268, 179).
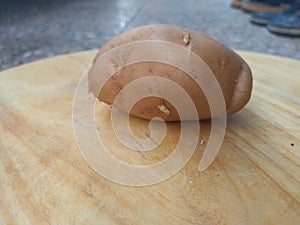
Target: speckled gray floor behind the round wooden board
(35, 29)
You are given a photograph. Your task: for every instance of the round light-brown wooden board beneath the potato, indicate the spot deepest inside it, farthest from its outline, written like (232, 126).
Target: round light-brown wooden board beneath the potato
(255, 178)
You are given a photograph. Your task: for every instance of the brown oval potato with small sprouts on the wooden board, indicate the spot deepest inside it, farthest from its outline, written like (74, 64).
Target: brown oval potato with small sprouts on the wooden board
(231, 72)
